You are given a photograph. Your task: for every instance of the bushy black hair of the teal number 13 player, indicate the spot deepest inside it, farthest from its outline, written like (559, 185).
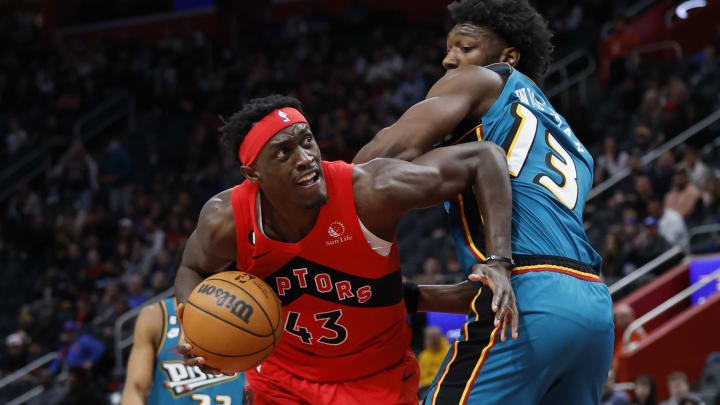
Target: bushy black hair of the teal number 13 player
(517, 23)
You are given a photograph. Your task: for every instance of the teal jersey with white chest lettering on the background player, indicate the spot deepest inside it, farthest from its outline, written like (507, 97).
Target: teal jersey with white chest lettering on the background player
(176, 383)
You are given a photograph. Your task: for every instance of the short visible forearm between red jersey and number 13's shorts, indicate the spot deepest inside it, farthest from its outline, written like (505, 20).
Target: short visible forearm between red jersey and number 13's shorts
(446, 298)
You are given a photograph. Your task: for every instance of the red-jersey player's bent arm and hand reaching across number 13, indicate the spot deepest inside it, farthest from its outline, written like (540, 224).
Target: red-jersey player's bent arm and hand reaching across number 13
(385, 189)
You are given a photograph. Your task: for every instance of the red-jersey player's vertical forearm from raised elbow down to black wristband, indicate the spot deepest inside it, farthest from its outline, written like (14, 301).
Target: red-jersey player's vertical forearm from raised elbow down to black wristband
(494, 197)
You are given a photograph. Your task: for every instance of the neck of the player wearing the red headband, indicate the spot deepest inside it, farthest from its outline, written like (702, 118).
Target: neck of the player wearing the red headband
(285, 221)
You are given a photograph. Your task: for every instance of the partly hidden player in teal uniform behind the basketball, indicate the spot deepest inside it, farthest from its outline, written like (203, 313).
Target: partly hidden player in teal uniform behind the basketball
(157, 374)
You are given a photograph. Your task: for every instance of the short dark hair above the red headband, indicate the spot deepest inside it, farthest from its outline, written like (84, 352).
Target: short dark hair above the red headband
(240, 123)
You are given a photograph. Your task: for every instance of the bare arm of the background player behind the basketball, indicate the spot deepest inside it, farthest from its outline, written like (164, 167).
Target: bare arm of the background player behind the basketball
(142, 356)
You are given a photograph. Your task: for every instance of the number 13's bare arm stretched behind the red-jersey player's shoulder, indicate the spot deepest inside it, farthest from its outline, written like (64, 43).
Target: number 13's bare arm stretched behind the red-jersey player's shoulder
(461, 93)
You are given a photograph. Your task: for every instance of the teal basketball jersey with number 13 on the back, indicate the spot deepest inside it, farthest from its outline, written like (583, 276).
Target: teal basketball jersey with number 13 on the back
(550, 174)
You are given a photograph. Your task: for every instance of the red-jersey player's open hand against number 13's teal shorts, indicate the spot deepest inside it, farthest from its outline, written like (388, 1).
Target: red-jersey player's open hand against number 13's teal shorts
(496, 275)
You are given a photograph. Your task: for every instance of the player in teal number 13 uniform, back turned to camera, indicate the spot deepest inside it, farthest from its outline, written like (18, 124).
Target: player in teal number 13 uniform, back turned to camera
(561, 353)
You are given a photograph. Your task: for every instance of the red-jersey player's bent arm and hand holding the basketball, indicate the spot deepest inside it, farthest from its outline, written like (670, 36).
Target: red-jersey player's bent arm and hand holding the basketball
(210, 248)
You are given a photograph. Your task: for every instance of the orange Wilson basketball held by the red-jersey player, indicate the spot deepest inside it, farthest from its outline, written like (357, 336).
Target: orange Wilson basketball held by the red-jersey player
(233, 320)
